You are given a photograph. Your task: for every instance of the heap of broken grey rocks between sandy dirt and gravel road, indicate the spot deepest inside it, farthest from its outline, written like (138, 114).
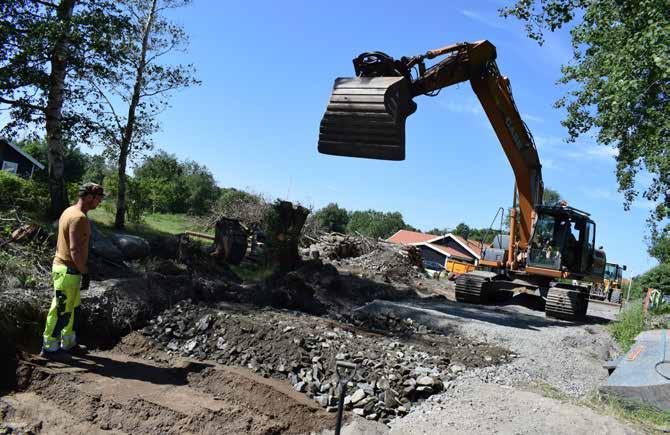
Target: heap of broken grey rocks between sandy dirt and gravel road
(303, 349)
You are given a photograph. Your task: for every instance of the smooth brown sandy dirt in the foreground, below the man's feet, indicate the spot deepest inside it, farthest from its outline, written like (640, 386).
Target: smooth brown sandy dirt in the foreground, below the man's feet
(111, 391)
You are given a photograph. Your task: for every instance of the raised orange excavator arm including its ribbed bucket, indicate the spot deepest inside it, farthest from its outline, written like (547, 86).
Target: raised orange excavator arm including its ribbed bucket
(366, 115)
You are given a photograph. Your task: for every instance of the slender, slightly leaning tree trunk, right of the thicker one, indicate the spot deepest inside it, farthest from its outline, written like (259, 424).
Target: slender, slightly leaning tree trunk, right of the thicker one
(126, 140)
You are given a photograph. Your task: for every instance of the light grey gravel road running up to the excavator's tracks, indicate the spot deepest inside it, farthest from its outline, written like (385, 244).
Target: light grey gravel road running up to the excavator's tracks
(551, 355)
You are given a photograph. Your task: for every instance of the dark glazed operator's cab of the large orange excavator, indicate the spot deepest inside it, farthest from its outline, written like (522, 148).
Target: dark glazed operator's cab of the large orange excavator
(564, 240)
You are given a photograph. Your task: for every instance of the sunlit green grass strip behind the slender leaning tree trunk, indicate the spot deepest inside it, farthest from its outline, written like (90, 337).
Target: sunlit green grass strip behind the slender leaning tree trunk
(155, 224)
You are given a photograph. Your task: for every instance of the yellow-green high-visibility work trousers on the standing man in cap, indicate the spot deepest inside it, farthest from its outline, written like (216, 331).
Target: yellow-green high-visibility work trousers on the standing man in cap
(63, 315)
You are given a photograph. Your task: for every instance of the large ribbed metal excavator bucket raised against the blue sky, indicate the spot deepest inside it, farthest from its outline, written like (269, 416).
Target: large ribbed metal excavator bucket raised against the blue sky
(365, 117)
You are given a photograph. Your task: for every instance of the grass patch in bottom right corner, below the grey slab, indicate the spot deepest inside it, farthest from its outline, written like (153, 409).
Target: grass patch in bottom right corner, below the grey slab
(644, 417)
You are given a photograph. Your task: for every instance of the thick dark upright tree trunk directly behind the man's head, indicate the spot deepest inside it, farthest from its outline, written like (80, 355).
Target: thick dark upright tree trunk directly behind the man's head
(54, 116)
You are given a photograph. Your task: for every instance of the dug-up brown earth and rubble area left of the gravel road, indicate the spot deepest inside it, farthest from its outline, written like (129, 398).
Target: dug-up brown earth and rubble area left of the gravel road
(187, 354)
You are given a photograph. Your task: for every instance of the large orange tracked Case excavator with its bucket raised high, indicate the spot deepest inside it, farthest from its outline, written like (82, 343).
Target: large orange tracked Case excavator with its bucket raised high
(549, 247)
